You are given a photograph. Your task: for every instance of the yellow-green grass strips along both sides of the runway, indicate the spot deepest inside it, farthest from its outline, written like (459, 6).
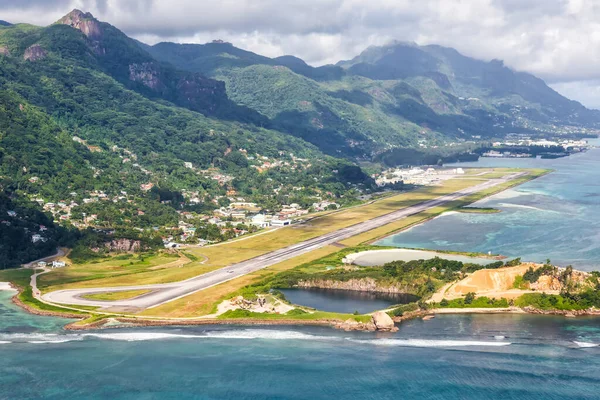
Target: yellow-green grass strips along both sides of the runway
(164, 268)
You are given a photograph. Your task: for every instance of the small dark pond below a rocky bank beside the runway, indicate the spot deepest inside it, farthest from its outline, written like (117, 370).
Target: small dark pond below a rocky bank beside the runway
(345, 301)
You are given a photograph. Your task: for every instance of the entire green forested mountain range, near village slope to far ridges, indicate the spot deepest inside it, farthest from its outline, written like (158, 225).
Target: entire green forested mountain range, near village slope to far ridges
(103, 137)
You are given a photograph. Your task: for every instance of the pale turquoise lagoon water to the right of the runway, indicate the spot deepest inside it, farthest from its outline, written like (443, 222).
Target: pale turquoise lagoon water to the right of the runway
(556, 216)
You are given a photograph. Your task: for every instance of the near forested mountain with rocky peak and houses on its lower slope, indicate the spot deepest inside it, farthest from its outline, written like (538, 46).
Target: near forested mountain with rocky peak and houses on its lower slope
(104, 136)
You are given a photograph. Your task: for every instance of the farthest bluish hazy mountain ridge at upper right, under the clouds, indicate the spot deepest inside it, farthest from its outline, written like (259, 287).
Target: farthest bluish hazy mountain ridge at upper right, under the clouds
(491, 83)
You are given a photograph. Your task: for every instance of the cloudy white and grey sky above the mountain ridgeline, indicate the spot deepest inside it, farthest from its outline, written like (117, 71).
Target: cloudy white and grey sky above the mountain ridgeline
(558, 40)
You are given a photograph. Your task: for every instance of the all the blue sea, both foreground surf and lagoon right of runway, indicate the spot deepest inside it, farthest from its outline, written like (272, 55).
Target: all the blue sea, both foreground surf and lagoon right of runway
(450, 357)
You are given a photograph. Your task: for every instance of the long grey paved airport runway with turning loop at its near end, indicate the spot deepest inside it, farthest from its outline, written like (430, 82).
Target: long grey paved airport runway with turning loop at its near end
(163, 293)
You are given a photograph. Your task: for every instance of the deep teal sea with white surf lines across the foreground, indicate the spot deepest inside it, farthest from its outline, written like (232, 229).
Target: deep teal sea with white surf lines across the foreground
(451, 357)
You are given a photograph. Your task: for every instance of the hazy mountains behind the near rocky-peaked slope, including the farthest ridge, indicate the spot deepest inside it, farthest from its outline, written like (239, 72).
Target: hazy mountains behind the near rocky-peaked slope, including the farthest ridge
(396, 96)
